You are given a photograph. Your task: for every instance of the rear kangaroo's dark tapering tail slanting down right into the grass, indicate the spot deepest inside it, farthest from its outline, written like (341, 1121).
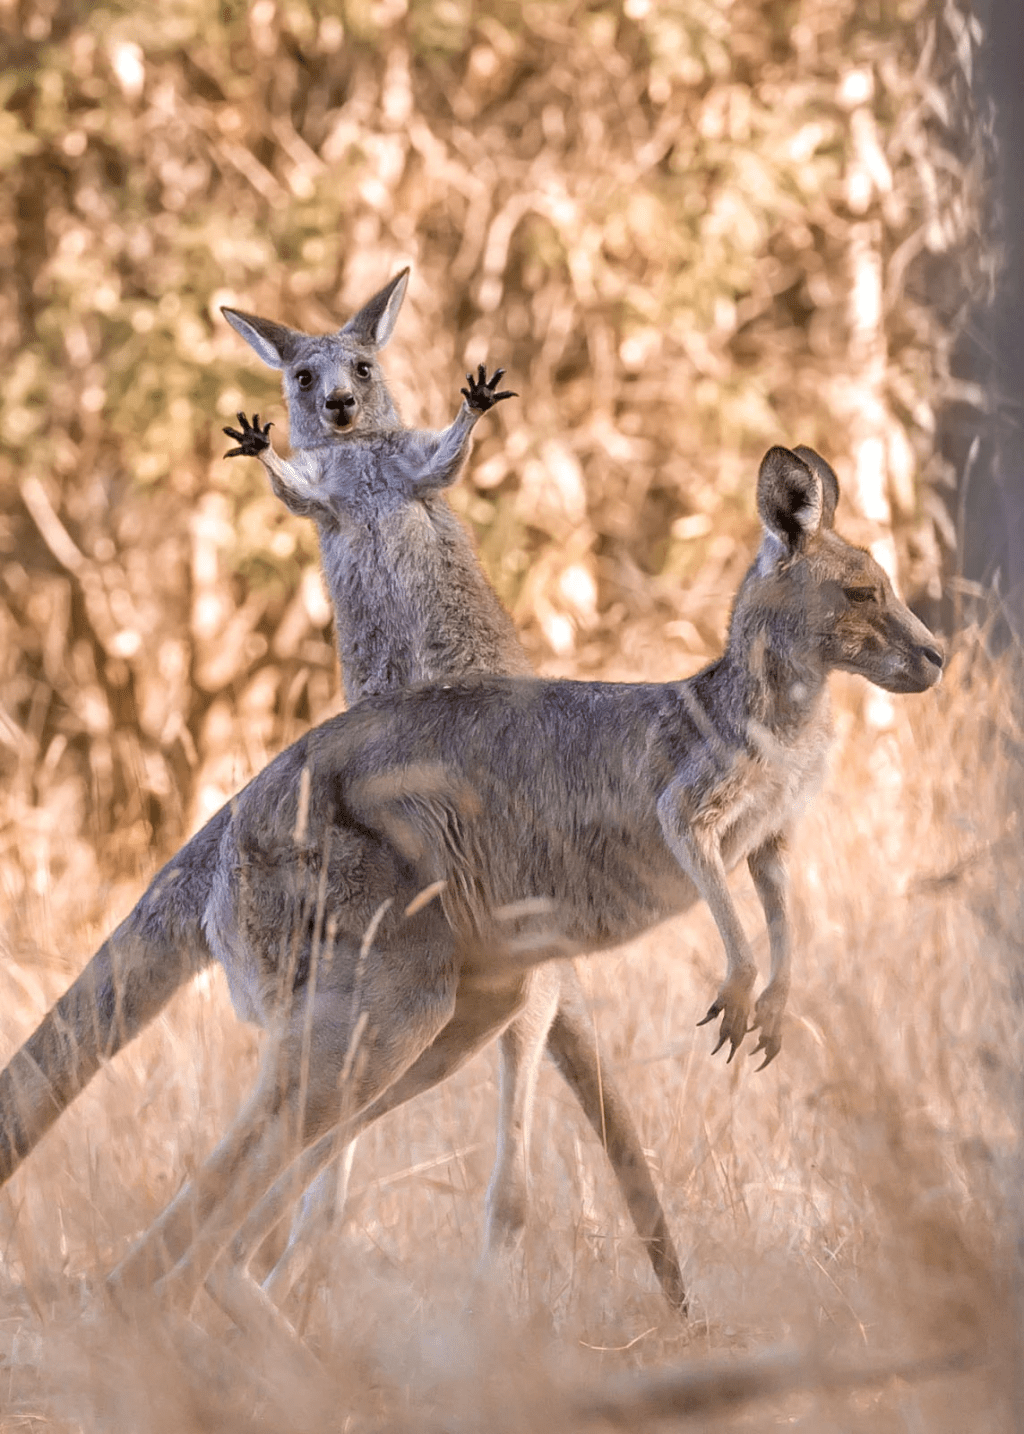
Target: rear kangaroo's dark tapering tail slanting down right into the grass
(573, 1048)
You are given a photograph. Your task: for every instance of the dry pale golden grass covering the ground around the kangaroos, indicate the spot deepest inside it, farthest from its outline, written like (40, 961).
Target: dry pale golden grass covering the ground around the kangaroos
(855, 1205)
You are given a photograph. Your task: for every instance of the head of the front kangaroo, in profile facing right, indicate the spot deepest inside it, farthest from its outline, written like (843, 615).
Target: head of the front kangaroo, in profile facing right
(817, 602)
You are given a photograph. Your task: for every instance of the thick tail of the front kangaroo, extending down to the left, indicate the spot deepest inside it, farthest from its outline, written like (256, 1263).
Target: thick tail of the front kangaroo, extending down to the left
(153, 954)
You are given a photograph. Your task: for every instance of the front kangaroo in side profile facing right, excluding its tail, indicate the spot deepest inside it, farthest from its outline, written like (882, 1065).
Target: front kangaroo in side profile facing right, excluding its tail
(382, 885)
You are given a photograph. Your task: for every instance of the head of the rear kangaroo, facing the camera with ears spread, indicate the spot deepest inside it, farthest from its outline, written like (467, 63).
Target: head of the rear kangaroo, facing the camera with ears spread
(333, 384)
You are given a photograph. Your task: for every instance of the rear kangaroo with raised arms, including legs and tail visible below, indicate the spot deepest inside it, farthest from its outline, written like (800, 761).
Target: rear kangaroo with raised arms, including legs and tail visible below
(412, 604)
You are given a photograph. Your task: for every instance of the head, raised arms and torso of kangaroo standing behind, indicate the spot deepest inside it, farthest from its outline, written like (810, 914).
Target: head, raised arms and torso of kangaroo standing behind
(409, 596)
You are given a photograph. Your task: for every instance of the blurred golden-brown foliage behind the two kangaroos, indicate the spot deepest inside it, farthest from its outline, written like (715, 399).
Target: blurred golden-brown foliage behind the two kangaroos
(688, 229)
